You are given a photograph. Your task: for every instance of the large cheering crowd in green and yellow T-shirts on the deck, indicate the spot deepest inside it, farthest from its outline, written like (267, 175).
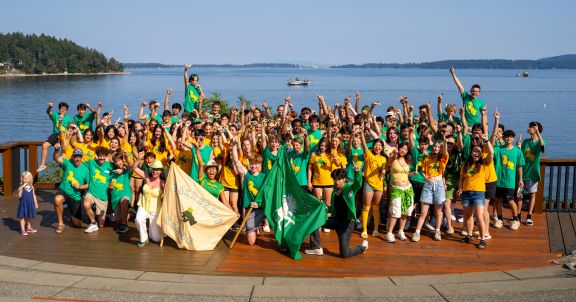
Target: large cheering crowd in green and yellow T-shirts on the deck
(417, 162)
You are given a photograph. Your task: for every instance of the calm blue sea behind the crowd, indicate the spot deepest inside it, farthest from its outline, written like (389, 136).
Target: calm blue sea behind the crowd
(548, 96)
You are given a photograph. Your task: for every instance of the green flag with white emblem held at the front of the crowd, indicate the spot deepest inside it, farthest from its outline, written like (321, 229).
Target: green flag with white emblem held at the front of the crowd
(292, 213)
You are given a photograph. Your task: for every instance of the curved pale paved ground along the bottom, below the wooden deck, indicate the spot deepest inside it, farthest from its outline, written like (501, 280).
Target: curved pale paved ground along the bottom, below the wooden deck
(24, 280)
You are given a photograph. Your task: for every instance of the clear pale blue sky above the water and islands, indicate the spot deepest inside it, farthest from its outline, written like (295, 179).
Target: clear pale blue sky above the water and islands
(311, 32)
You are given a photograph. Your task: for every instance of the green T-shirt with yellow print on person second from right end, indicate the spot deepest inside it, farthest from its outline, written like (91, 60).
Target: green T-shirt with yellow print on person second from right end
(506, 163)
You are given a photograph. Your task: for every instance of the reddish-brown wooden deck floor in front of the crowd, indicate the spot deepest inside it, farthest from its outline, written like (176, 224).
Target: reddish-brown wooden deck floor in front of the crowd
(525, 248)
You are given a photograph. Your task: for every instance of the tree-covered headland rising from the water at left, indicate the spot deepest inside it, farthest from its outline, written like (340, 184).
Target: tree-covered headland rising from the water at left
(46, 55)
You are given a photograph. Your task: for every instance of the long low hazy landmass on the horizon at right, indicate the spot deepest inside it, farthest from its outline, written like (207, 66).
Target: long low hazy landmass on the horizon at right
(558, 62)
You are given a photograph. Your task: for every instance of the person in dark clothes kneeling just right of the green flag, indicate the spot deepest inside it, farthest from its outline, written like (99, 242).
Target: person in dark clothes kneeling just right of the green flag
(343, 215)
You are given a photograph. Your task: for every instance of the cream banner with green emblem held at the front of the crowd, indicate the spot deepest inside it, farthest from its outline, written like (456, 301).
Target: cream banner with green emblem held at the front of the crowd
(192, 217)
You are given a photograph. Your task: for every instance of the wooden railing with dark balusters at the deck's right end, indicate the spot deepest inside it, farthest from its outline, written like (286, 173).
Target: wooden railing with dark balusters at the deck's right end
(556, 189)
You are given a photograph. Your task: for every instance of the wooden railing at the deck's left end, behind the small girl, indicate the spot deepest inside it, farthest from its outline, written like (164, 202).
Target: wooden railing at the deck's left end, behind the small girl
(18, 157)
